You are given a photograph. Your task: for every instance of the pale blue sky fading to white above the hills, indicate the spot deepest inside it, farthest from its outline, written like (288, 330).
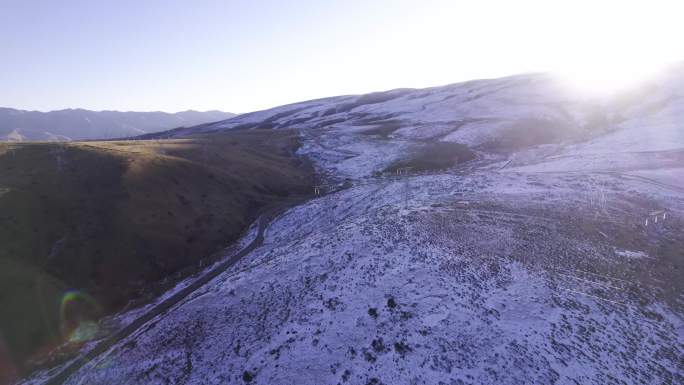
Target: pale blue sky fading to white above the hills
(241, 56)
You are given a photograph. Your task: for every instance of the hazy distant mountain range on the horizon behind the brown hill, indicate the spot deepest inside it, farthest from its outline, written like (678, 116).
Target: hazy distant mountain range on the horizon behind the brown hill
(78, 124)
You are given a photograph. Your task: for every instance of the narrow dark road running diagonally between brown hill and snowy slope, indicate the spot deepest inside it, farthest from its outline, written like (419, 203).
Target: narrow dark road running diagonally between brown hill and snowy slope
(263, 221)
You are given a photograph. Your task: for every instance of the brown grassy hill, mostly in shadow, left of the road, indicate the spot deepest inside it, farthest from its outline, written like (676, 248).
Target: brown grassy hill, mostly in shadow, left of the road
(109, 218)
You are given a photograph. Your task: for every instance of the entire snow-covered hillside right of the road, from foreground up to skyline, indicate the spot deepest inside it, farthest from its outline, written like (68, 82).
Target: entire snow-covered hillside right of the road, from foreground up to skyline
(554, 257)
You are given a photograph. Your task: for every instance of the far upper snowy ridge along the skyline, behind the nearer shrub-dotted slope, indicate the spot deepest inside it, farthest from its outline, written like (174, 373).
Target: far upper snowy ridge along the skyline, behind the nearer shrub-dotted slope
(532, 118)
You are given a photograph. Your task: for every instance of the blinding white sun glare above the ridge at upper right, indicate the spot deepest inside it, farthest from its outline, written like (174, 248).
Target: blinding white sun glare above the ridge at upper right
(611, 46)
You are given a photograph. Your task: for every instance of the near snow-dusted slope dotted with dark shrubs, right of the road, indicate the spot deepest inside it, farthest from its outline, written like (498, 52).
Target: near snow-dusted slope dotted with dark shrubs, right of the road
(493, 278)
